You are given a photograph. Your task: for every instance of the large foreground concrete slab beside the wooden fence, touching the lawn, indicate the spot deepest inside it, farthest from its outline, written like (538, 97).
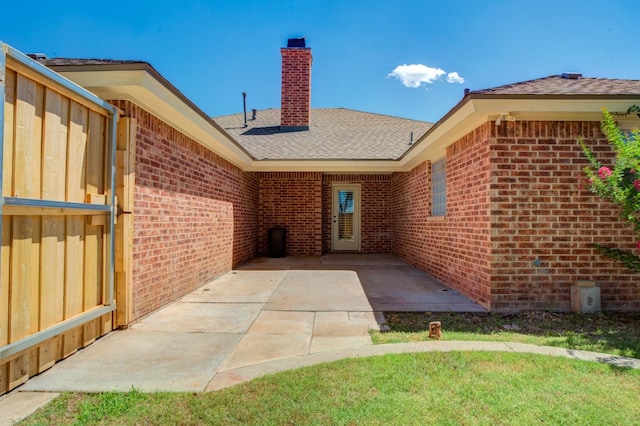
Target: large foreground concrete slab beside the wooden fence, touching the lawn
(149, 361)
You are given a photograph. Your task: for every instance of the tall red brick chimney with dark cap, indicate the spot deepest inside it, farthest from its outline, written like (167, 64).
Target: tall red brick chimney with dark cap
(295, 113)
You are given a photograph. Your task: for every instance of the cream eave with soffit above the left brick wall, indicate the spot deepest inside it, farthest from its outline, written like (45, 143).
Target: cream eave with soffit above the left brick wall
(141, 88)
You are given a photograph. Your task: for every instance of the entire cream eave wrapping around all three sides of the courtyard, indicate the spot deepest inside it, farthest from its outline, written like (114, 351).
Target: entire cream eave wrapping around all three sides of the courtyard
(142, 85)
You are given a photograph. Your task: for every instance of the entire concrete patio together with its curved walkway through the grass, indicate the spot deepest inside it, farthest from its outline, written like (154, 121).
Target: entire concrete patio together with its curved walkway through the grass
(267, 316)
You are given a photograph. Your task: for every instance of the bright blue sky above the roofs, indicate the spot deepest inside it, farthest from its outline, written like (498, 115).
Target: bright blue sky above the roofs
(212, 51)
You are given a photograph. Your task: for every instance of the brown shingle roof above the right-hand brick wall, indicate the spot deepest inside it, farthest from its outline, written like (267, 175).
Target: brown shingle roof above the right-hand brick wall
(559, 85)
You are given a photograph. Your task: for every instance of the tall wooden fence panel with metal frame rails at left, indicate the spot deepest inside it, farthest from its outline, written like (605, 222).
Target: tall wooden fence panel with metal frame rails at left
(58, 149)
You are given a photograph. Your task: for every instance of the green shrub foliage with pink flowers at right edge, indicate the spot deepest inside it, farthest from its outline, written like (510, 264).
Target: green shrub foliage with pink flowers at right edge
(618, 183)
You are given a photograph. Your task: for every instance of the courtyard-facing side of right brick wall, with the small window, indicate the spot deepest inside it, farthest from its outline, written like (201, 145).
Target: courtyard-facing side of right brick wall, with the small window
(456, 248)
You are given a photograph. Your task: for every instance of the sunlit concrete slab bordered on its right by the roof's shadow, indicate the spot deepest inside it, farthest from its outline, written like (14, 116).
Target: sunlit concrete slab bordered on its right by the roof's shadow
(327, 290)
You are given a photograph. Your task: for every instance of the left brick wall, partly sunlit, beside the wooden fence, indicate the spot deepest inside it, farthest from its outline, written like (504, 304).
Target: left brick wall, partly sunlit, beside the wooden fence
(195, 214)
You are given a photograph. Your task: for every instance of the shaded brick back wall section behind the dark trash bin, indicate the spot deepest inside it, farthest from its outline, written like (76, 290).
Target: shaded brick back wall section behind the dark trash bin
(292, 201)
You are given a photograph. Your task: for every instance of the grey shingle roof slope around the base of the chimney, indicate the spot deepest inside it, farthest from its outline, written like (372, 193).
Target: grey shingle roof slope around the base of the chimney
(334, 134)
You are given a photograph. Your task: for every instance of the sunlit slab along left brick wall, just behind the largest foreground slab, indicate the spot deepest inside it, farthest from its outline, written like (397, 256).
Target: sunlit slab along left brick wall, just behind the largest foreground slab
(227, 318)
